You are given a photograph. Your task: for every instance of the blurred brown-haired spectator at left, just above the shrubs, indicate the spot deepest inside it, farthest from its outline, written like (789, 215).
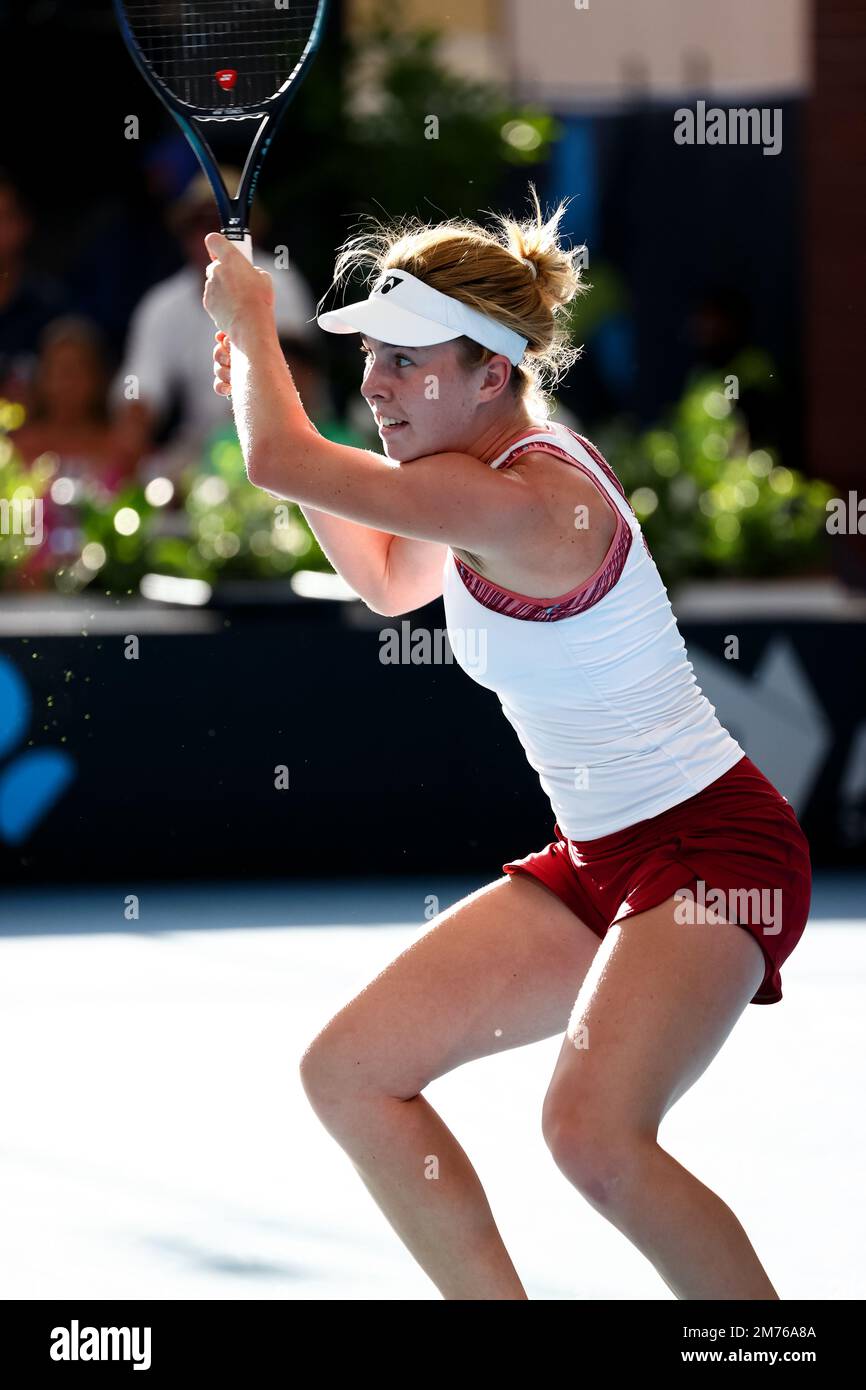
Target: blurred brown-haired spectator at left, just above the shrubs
(69, 414)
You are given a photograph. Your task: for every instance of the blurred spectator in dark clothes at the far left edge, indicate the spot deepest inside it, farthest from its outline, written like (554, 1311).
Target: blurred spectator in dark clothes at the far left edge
(28, 300)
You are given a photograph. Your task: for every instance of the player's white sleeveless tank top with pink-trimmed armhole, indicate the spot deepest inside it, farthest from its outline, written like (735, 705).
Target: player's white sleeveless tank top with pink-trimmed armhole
(597, 682)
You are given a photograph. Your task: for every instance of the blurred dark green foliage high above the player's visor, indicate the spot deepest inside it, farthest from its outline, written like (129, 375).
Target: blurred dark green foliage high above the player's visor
(415, 137)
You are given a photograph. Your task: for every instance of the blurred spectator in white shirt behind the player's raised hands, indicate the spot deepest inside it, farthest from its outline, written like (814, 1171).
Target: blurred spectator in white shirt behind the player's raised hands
(169, 358)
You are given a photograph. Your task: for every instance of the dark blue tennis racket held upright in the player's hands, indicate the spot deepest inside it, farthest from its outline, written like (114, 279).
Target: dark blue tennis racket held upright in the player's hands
(224, 60)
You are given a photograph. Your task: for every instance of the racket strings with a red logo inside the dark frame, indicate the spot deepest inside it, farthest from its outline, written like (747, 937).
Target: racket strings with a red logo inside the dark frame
(187, 44)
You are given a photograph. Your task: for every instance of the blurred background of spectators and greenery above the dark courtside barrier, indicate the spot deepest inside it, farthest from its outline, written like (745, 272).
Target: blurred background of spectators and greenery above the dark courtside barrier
(710, 265)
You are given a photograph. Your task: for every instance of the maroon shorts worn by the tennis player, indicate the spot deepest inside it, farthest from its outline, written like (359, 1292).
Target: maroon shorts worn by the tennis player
(735, 847)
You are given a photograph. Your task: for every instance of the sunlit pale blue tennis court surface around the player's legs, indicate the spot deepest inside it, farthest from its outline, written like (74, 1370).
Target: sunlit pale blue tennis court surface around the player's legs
(156, 1140)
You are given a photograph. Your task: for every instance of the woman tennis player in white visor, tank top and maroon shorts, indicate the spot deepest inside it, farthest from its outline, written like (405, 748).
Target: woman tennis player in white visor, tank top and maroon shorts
(679, 879)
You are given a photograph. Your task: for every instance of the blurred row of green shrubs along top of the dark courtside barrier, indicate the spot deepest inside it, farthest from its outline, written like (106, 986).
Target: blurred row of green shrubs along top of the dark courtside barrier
(710, 501)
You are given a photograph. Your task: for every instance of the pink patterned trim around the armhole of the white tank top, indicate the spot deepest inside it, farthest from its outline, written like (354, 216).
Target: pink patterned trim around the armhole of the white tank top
(586, 594)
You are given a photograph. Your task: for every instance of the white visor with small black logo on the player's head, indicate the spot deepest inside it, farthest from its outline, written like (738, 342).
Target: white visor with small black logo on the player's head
(407, 312)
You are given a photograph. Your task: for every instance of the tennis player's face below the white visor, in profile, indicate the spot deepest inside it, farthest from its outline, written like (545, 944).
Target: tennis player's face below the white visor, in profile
(427, 390)
